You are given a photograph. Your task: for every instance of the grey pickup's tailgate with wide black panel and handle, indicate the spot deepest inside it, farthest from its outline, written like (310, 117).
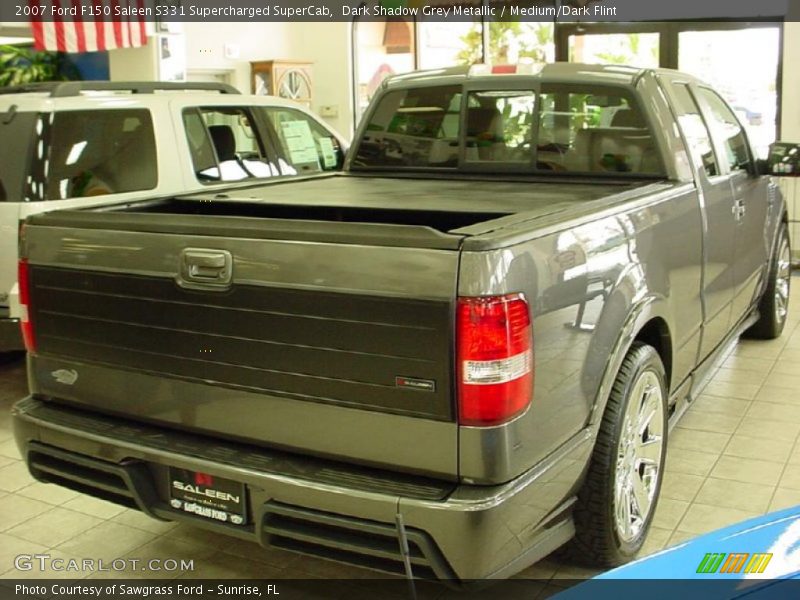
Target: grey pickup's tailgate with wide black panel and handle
(336, 349)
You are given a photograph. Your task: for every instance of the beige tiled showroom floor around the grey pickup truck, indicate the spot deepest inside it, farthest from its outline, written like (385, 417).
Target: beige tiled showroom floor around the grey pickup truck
(734, 455)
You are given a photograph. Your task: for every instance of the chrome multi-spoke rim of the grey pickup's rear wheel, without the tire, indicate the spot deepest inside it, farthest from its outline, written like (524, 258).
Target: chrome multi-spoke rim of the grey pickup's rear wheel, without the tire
(639, 457)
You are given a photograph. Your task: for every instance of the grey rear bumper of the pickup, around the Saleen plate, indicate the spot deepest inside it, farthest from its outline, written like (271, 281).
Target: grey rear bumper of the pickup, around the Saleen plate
(308, 505)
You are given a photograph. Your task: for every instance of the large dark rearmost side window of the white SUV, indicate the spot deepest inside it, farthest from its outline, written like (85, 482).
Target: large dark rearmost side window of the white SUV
(99, 152)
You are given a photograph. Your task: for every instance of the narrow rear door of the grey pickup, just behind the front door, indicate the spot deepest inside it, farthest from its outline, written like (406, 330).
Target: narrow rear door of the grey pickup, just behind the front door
(716, 197)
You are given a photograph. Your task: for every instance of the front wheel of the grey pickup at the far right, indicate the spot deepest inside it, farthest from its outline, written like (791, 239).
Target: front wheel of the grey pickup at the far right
(773, 307)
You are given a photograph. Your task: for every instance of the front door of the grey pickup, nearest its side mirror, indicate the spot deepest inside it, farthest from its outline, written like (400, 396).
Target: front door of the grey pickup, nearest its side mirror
(750, 201)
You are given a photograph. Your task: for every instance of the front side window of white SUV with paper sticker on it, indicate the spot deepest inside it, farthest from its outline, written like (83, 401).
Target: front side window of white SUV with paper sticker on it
(303, 145)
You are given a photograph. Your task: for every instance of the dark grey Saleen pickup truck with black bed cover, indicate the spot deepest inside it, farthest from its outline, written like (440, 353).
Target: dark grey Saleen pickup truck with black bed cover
(461, 353)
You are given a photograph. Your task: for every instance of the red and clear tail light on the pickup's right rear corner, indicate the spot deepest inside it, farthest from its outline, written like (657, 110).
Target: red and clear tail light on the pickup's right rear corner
(495, 359)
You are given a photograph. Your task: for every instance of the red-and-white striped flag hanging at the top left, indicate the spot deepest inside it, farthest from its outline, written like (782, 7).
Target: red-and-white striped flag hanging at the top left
(87, 26)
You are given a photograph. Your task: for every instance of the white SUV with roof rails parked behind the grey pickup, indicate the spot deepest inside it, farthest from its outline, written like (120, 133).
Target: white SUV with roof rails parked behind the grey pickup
(72, 144)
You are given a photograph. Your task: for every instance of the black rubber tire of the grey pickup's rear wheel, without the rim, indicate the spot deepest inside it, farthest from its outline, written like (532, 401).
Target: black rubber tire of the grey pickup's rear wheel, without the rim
(595, 543)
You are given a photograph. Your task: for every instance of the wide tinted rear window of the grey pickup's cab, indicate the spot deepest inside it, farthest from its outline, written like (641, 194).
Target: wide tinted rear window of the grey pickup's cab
(557, 128)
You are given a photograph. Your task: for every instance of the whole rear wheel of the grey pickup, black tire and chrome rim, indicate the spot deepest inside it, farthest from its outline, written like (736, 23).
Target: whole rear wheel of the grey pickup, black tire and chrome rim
(616, 504)
